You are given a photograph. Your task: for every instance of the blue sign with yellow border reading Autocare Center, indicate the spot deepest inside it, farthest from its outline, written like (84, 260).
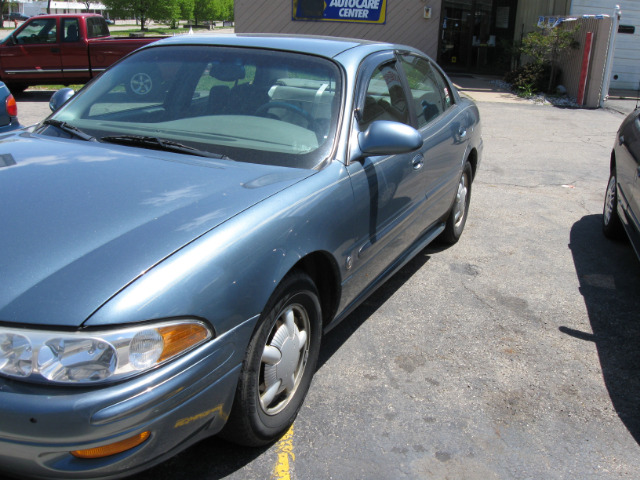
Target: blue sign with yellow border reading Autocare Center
(359, 11)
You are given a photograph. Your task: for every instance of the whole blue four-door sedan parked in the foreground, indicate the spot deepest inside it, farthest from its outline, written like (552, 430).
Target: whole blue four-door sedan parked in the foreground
(170, 264)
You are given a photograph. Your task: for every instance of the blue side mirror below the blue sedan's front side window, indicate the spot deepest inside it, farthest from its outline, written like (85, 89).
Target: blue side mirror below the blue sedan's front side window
(388, 138)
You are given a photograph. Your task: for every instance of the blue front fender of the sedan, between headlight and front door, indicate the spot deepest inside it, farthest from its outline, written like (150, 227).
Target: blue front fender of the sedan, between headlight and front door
(227, 275)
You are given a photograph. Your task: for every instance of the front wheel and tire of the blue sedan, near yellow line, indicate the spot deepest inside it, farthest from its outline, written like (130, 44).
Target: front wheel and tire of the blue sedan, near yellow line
(279, 364)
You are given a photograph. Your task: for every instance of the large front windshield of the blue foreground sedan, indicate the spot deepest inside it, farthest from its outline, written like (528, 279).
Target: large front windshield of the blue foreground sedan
(250, 105)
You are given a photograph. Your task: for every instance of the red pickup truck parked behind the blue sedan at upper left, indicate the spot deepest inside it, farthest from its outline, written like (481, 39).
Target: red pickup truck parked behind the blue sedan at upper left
(63, 49)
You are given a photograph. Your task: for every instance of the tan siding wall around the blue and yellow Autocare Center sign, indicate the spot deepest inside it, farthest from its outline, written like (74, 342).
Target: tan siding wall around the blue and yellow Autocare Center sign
(405, 23)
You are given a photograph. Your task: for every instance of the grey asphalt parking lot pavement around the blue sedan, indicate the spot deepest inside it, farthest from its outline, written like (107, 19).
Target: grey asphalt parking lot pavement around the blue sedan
(514, 354)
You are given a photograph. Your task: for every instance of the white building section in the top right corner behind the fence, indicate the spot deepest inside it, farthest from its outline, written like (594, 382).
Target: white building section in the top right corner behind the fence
(625, 73)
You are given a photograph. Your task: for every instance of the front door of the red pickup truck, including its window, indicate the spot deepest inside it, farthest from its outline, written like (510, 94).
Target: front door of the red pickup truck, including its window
(34, 52)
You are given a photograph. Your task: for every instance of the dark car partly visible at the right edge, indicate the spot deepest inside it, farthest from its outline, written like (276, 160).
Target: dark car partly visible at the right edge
(621, 213)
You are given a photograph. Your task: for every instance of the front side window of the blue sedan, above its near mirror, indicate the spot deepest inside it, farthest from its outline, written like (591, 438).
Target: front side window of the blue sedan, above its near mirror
(385, 98)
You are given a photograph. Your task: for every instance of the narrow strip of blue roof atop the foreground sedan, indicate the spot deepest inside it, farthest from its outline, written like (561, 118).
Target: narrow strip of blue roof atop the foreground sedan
(318, 45)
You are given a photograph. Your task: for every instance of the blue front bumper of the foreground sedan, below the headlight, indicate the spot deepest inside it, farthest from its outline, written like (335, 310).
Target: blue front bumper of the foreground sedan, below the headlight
(179, 404)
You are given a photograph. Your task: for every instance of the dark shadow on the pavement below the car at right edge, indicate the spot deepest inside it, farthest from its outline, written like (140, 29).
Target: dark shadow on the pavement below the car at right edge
(609, 276)
